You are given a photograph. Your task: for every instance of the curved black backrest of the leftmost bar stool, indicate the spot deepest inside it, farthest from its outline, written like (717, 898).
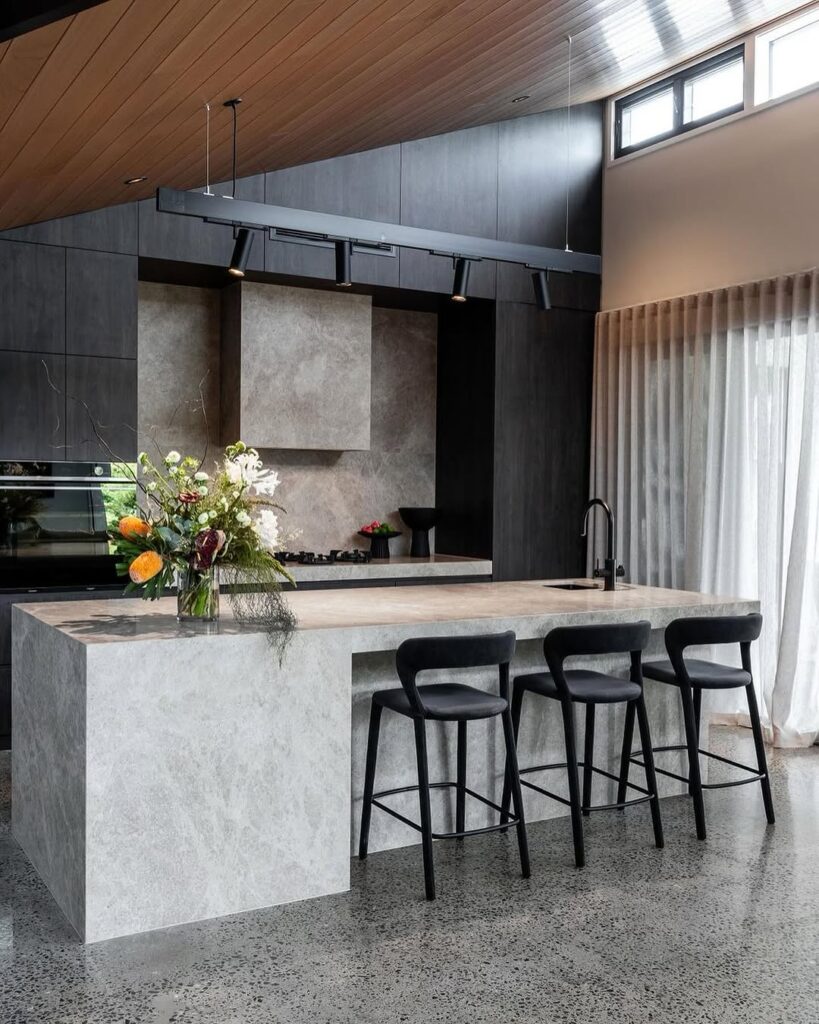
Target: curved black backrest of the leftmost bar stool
(424, 654)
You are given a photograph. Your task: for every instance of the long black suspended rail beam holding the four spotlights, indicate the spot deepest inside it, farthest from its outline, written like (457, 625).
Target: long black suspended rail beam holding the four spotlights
(243, 214)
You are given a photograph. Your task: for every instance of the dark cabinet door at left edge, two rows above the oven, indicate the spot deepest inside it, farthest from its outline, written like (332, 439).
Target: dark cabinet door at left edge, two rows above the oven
(32, 297)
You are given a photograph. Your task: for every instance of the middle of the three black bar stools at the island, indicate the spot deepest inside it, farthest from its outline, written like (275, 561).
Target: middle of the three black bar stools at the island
(590, 689)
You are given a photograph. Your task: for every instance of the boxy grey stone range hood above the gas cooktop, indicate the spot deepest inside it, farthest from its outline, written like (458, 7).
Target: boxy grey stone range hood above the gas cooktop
(296, 368)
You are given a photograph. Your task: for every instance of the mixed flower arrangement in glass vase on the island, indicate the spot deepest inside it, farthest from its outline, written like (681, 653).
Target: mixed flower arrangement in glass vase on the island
(192, 524)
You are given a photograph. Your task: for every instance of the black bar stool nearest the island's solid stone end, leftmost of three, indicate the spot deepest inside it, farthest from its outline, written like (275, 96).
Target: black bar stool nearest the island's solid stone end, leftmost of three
(446, 703)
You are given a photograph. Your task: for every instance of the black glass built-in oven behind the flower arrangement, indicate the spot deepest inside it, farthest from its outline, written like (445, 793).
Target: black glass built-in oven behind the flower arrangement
(56, 519)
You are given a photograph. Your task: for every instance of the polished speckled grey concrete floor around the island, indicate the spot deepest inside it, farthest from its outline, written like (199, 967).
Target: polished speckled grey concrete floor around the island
(725, 931)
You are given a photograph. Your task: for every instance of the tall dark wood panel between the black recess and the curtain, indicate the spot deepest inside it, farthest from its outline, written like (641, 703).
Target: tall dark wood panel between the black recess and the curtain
(542, 438)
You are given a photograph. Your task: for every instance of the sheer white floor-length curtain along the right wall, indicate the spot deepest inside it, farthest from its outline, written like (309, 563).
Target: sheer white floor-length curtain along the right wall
(706, 440)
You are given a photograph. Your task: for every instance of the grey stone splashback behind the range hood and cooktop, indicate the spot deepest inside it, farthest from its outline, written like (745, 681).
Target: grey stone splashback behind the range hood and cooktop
(328, 495)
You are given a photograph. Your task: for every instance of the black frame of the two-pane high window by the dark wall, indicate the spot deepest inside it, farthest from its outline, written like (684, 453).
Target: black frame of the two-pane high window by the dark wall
(677, 82)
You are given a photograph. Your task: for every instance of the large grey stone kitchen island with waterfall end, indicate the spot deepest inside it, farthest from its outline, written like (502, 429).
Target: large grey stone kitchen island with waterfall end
(166, 773)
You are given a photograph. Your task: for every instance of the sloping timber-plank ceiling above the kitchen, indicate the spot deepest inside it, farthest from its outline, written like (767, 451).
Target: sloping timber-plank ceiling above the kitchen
(119, 91)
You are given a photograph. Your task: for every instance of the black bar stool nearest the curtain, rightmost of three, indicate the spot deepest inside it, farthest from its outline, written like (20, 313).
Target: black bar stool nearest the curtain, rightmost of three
(692, 677)
